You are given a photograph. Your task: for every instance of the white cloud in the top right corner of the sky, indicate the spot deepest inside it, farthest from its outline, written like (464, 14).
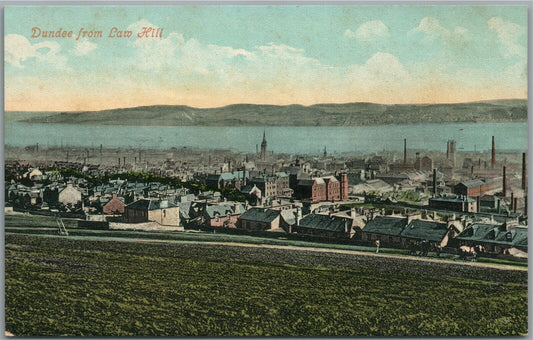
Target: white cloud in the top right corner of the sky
(508, 34)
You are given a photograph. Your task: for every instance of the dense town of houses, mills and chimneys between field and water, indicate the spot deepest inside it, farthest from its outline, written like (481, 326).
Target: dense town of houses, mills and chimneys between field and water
(298, 195)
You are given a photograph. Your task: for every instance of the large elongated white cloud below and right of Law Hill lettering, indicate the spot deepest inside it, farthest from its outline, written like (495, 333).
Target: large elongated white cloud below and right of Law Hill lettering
(224, 63)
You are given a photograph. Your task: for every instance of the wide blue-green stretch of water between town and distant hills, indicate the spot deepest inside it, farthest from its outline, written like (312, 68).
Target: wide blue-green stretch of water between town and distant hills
(293, 140)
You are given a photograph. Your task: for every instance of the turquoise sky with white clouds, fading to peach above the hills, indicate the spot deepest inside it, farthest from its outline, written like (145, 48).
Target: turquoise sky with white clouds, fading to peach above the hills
(211, 56)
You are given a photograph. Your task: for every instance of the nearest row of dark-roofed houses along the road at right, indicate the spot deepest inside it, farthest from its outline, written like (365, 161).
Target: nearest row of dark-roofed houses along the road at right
(391, 231)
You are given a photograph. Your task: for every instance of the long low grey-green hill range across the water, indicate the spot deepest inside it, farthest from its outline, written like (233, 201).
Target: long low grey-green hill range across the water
(351, 114)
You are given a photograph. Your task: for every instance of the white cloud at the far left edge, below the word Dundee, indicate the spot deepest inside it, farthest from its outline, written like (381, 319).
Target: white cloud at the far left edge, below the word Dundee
(18, 49)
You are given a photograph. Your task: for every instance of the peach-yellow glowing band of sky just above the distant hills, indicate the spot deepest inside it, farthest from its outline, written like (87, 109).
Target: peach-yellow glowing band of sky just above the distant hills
(37, 102)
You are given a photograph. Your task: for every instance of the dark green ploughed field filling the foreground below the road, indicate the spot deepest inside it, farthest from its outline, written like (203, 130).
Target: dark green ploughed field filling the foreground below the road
(59, 286)
